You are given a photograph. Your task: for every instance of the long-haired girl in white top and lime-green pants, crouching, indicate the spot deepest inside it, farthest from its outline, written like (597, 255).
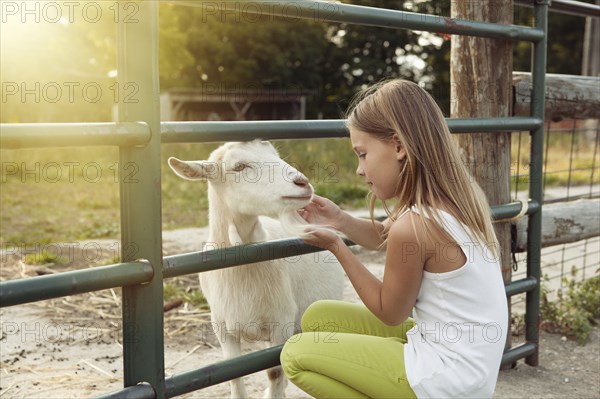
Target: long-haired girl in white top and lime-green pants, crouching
(441, 264)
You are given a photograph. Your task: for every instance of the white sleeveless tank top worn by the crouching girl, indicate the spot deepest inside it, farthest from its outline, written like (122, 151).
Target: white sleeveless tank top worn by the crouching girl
(461, 318)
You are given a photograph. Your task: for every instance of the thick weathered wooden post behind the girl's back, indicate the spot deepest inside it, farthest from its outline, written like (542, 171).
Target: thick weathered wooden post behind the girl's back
(481, 86)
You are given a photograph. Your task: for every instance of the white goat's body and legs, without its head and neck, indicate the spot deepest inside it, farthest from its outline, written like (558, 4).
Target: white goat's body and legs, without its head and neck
(264, 301)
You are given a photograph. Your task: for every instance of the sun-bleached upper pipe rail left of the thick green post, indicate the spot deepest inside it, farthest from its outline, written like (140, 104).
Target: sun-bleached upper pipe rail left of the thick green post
(35, 135)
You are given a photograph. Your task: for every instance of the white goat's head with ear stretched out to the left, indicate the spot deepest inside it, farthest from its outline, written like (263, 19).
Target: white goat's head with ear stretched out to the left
(250, 178)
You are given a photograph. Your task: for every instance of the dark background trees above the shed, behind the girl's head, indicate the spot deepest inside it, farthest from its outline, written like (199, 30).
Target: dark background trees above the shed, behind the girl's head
(238, 51)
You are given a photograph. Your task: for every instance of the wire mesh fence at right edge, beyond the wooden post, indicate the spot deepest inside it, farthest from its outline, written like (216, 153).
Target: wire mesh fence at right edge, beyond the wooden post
(571, 172)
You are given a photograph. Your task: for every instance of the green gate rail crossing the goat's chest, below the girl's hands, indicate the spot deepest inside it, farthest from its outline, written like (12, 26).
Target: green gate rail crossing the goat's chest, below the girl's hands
(25, 290)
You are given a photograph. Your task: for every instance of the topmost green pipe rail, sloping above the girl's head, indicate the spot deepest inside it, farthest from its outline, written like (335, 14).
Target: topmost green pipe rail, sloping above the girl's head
(368, 16)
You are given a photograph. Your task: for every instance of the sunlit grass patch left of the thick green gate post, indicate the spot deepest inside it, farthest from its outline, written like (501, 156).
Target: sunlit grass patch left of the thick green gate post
(47, 198)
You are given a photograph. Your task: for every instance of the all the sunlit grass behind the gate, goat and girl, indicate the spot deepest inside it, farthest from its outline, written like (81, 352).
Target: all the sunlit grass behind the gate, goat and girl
(39, 206)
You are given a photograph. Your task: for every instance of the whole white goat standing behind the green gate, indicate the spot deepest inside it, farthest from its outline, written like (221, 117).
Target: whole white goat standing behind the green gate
(247, 183)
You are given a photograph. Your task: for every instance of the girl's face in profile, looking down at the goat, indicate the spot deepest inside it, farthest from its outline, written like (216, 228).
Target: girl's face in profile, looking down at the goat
(378, 162)
